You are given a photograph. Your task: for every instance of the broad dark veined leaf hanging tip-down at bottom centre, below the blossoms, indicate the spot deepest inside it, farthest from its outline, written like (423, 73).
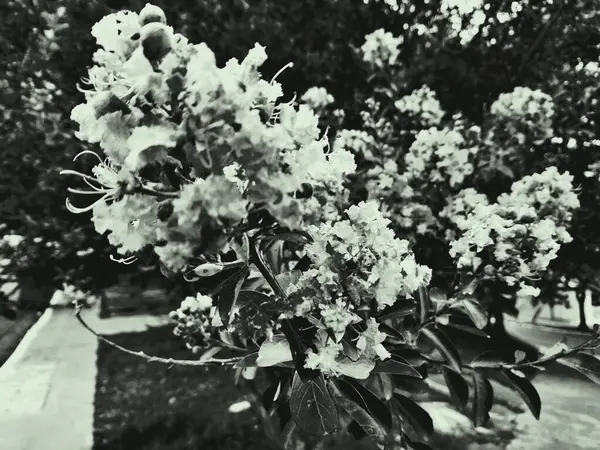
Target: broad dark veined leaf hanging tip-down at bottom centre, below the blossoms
(312, 407)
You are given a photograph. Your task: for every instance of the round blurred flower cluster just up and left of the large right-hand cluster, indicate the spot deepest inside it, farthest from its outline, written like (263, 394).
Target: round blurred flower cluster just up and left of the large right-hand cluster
(439, 154)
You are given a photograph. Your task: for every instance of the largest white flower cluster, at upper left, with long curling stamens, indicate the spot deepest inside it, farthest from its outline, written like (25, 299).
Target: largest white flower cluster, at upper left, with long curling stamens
(158, 101)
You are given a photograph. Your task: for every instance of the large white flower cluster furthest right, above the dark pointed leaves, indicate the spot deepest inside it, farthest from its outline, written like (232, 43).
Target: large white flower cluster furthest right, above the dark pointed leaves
(520, 234)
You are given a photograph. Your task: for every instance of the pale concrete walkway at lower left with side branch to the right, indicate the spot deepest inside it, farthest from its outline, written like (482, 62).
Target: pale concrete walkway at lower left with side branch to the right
(47, 386)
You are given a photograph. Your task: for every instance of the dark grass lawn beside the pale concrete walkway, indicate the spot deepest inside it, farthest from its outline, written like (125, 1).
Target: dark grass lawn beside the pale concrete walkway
(151, 406)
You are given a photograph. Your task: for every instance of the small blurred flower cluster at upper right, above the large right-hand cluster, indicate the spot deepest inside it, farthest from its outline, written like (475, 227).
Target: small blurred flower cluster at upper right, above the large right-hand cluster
(525, 109)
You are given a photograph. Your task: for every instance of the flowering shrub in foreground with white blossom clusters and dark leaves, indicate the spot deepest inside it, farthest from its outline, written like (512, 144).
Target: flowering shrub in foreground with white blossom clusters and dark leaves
(208, 170)
